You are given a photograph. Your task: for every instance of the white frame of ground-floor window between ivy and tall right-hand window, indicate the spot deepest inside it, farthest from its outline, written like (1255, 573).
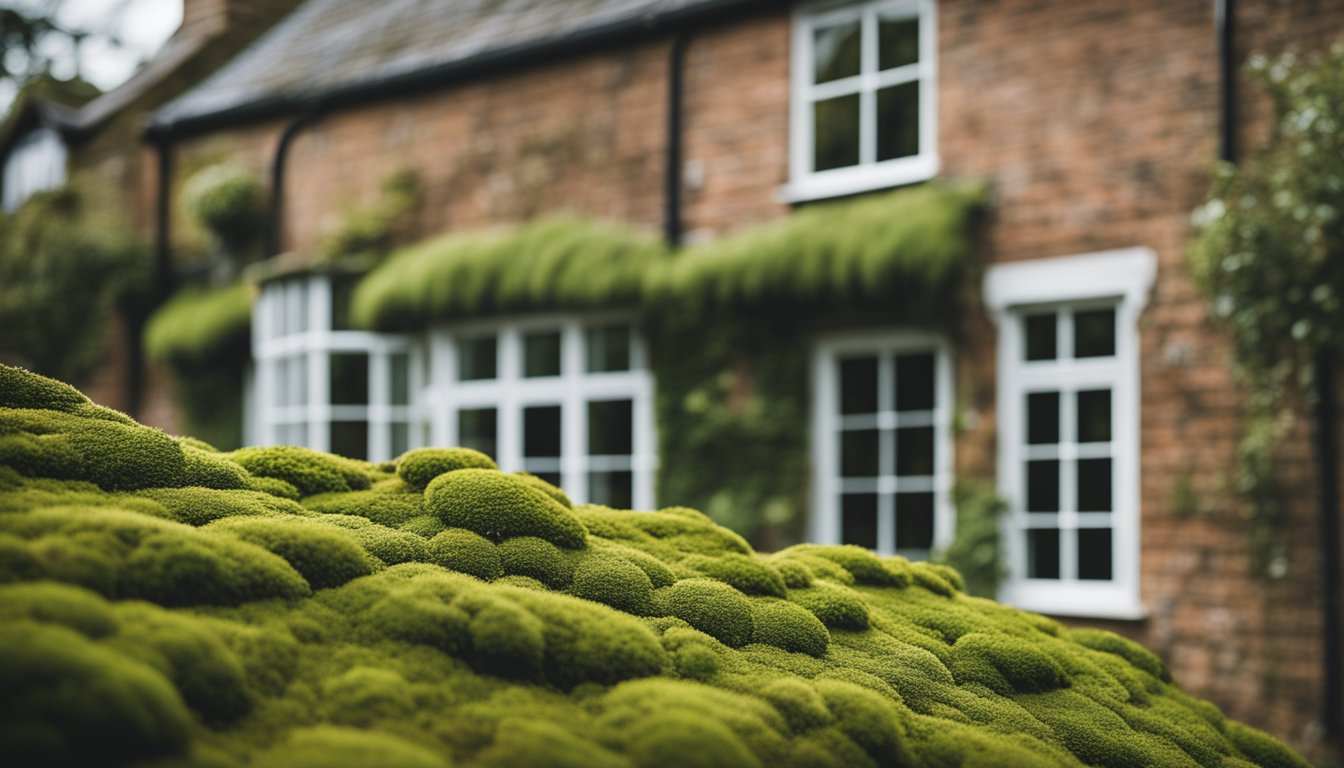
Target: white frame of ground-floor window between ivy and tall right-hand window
(826, 427)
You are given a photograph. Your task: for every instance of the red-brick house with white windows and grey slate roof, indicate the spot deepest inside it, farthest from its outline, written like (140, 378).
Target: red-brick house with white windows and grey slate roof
(1083, 373)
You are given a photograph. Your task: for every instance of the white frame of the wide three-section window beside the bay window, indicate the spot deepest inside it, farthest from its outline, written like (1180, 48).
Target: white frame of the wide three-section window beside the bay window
(510, 393)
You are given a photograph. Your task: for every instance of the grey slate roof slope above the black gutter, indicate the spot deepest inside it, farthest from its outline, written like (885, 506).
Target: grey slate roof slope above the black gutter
(329, 46)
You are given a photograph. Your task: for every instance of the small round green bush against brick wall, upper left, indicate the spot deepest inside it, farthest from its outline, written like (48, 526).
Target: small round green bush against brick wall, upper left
(229, 202)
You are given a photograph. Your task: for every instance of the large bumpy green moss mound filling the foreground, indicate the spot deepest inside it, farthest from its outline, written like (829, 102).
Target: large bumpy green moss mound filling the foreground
(286, 607)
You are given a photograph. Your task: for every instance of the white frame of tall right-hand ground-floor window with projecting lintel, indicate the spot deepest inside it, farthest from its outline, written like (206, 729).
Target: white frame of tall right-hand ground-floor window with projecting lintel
(1122, 279)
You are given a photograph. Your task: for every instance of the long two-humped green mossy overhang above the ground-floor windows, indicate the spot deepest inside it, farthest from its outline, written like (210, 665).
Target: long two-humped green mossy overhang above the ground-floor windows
(911, 245)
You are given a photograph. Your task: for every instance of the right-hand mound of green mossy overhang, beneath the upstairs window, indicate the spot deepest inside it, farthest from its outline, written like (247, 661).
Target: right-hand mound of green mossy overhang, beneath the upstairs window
(862, 249)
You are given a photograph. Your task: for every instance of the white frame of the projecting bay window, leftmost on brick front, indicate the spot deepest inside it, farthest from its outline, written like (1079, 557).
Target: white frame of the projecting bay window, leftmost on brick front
(304, 305)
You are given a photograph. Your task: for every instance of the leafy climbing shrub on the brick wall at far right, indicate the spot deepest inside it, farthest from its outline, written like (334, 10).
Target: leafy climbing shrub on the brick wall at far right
(1269, 258)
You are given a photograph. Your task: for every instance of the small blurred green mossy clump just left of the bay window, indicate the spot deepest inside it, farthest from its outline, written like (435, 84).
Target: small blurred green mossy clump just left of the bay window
(198, 323)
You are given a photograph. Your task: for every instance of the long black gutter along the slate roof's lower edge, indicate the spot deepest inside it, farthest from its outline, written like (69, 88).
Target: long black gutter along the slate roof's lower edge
(486, 64)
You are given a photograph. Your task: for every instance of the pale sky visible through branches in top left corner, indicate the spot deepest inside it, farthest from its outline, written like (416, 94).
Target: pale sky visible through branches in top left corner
(124, 34)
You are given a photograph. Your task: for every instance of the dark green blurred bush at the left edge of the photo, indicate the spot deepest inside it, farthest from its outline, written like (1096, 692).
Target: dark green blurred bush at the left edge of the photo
(64, 266)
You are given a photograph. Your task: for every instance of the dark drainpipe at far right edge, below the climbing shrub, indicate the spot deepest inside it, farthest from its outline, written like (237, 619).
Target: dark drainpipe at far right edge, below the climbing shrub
(1329, 500)
